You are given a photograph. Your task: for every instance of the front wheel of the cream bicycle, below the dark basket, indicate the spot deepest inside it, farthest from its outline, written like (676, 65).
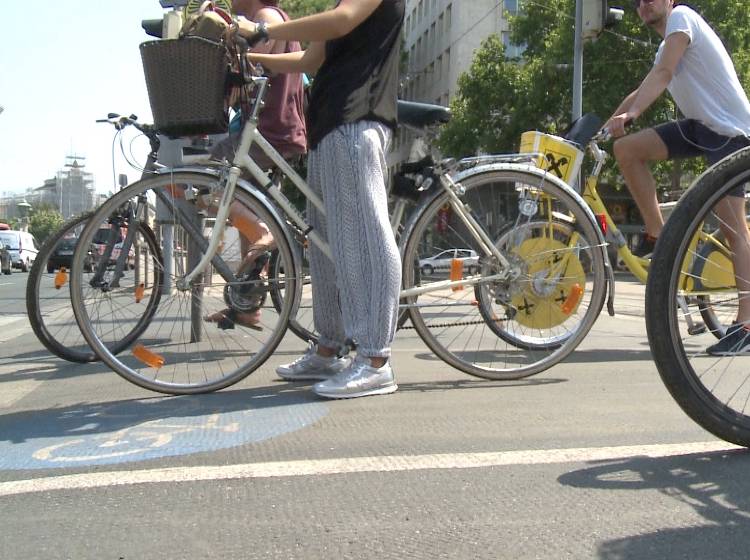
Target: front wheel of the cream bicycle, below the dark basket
(184, 348)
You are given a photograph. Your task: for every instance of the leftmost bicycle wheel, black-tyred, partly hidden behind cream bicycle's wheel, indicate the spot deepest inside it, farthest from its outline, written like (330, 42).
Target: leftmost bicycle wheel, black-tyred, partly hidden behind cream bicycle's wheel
(50, 313)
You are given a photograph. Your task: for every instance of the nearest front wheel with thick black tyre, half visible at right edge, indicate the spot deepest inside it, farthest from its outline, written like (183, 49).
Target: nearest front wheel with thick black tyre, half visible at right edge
(692, 269)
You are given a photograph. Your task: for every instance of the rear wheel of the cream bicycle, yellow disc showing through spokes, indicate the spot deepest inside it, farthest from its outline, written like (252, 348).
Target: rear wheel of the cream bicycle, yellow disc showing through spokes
(506, 328)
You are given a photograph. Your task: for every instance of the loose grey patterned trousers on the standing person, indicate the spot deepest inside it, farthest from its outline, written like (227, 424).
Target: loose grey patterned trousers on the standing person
(356, 297)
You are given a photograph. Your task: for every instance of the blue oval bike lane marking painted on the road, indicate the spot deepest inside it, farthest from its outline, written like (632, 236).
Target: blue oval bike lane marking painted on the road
(104, 434)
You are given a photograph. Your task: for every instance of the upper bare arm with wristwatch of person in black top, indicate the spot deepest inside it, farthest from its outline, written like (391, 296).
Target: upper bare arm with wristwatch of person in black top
(325, 26)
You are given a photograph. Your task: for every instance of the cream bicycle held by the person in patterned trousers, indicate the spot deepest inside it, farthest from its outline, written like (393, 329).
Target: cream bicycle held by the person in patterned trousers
(520, 313)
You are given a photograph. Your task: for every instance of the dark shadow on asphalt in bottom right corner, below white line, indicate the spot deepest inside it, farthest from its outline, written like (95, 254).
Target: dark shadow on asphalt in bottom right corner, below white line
(715, 485)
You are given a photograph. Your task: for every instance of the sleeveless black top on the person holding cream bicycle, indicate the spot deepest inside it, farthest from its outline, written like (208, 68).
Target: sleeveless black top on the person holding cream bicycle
(359, 77)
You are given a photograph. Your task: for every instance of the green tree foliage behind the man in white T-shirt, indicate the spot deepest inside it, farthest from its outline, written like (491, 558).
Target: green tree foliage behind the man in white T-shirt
(498, 99)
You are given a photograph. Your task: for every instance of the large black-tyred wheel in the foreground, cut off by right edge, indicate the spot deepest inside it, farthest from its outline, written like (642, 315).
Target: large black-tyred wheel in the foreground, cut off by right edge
(713, 391)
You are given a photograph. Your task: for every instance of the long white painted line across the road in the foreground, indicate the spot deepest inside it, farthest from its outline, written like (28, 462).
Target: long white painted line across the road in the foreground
(394, 463)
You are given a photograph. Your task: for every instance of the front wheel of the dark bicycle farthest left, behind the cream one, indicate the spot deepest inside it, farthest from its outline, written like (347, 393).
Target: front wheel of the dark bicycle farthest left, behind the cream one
(48, 292)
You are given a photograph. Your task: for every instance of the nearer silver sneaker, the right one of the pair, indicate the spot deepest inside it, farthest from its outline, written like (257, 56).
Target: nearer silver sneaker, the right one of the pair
(360, 379)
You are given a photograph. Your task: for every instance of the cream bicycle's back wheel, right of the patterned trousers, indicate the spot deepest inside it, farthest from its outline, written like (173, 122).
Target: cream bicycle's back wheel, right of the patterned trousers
(548, 335)
